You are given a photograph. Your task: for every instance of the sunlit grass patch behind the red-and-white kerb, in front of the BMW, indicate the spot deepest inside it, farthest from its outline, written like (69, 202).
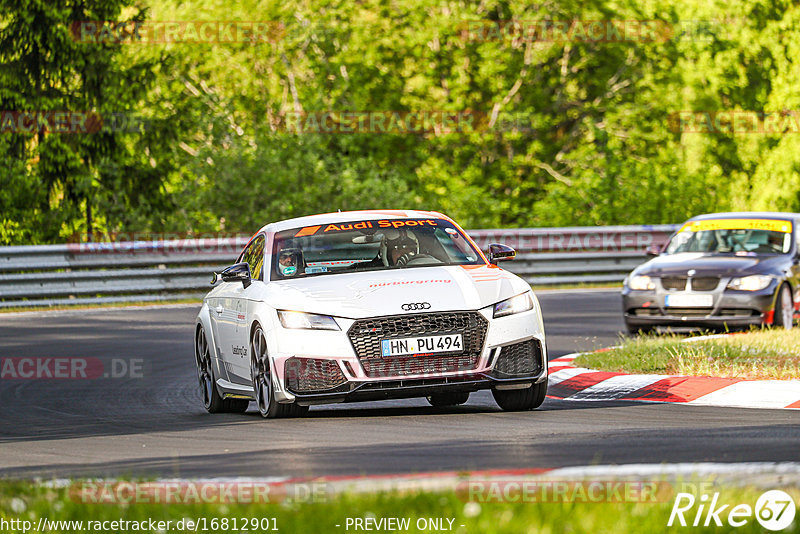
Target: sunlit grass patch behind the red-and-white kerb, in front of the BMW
(767, 354)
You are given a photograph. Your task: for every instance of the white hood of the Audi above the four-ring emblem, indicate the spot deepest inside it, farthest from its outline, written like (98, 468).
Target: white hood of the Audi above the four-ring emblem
(369, 294)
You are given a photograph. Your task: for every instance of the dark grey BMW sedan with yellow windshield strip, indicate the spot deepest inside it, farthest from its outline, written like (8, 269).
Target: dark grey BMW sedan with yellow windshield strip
(722, 270)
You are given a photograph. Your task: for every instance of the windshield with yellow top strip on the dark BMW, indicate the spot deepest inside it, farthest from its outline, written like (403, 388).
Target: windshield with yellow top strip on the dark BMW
(742, 237)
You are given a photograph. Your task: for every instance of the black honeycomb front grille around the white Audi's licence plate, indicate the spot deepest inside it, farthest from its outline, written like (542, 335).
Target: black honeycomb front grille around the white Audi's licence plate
(366, 336)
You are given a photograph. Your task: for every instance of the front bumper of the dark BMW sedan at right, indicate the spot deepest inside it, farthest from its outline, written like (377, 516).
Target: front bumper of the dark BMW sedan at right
(730, 308)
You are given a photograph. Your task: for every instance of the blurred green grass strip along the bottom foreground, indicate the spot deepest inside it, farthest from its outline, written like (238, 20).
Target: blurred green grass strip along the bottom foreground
(30, 502)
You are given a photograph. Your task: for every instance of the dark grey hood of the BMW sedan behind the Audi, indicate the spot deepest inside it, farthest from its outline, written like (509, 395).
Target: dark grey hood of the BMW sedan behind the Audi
(708, 265)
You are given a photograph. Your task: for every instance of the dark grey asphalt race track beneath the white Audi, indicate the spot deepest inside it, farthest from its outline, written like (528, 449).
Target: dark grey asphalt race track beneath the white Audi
(156, 426)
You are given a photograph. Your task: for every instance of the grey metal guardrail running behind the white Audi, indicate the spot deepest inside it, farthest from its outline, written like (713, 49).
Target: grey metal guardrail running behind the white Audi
(50, 275)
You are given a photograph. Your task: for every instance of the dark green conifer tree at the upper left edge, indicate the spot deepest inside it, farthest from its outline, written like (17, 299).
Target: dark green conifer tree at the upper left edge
(60, 184)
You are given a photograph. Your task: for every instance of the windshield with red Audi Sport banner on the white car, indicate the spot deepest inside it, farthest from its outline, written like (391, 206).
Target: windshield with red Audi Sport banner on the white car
(371, 245)
